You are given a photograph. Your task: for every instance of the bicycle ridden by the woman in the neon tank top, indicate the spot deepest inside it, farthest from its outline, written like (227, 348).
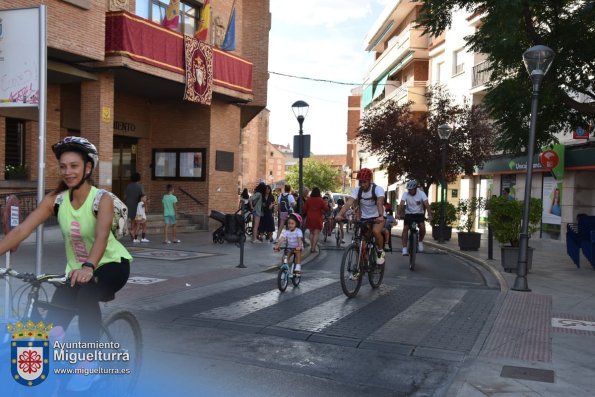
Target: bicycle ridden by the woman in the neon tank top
(119, 329)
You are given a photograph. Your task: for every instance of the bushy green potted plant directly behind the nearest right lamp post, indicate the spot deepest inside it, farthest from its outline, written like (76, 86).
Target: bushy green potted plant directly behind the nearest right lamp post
(505, 217)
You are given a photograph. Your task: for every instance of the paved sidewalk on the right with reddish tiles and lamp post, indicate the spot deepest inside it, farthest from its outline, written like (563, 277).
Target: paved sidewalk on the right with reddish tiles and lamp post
(538, 343)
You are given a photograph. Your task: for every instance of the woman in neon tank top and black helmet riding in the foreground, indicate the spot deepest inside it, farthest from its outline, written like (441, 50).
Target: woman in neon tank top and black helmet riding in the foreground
(97, 264)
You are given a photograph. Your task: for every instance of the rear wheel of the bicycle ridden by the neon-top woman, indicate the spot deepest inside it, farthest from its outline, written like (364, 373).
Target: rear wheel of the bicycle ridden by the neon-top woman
(122, 328)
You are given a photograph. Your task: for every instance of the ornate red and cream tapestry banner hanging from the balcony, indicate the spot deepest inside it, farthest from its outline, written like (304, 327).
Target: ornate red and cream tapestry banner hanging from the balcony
(198, 60)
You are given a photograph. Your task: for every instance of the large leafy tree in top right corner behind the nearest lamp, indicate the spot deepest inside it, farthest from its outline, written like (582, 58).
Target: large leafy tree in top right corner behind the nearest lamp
(509, 28)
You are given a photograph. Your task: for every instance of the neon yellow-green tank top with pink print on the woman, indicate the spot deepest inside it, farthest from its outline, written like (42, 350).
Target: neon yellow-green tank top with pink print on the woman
(78, 231)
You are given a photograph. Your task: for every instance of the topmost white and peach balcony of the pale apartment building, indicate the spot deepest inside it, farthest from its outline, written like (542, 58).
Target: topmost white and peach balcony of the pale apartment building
(409, 40)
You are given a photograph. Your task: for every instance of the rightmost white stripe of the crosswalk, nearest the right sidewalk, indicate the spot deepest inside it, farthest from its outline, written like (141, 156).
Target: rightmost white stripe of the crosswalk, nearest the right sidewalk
(411, 325)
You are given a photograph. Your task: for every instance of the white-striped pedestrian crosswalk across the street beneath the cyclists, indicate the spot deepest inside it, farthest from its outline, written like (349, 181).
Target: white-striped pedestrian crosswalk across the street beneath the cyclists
(448, 318)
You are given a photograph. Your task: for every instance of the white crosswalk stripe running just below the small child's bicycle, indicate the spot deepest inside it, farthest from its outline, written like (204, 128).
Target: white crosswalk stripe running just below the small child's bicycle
(254, 303)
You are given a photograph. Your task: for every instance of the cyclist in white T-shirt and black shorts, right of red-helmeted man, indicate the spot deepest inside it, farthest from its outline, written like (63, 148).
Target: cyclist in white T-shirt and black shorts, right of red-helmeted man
(415, 202)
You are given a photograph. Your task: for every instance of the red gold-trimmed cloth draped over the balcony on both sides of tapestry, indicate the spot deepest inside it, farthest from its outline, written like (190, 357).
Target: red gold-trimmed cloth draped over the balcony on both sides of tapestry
(160, 51)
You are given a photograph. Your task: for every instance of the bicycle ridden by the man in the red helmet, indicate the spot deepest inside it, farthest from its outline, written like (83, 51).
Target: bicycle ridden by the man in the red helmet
(359, 258)
